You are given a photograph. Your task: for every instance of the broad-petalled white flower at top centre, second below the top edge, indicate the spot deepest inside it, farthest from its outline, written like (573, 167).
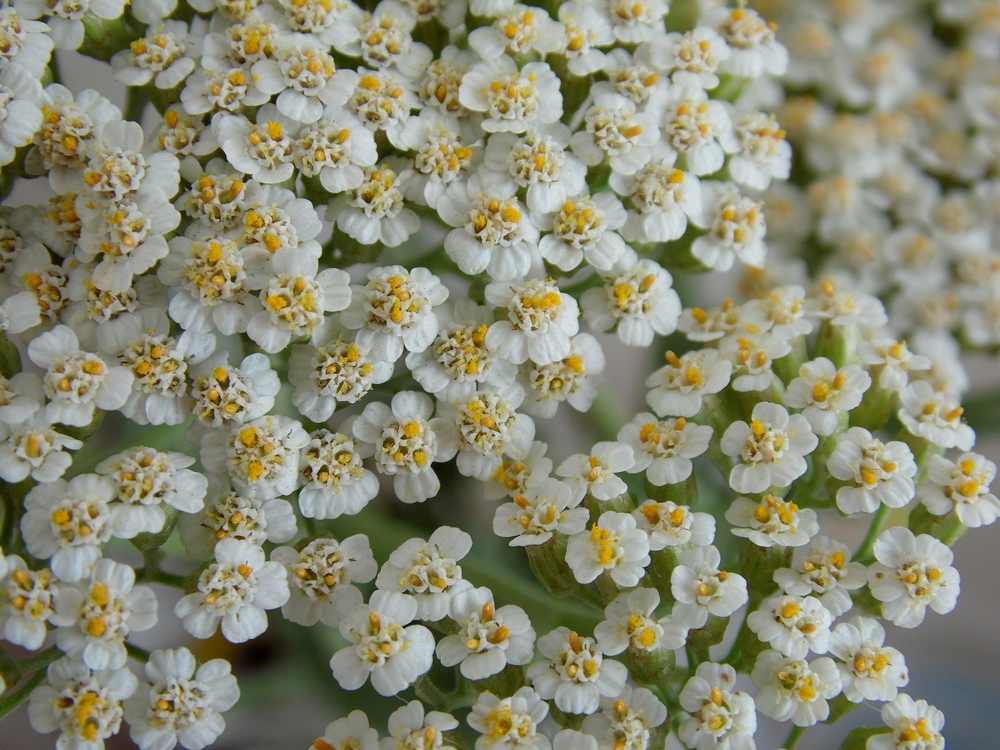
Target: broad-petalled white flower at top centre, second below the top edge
(512, 99)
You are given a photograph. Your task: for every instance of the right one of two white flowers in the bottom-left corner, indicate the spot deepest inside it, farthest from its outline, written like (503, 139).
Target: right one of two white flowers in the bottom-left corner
(183, 704)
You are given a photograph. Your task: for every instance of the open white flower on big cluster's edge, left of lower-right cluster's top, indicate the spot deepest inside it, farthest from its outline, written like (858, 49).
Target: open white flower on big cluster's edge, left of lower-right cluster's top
(638, 298)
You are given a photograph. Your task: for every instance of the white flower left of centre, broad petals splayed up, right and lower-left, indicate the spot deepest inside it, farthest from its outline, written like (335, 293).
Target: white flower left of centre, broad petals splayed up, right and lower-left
(295, 301)
